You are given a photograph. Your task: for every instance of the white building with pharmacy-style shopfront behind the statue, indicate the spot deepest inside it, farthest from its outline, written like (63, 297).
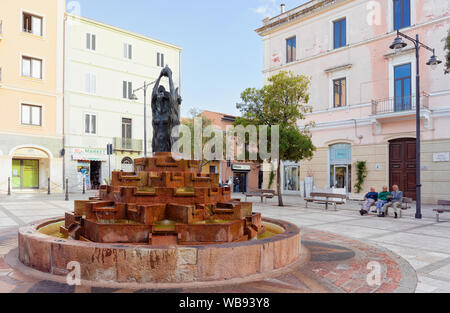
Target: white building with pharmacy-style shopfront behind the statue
(103, 65)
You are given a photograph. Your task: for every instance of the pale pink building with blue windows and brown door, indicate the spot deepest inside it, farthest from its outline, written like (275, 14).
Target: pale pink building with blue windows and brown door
(363, 93)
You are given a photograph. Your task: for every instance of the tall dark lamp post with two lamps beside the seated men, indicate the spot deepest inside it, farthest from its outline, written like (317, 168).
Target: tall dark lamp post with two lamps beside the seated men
(434, 61)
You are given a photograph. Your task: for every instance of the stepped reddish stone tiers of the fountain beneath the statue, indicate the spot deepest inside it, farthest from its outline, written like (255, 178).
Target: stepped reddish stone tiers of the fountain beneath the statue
(165, 202)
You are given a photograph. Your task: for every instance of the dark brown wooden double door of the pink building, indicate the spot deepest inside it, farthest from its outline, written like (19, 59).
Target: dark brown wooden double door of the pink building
(402, 165)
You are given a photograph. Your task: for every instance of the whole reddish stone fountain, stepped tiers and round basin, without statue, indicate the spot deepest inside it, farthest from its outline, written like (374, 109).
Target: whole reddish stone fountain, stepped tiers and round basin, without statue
(164, 223)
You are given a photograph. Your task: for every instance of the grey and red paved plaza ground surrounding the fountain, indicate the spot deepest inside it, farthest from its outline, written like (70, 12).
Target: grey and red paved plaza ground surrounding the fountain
(415, 253)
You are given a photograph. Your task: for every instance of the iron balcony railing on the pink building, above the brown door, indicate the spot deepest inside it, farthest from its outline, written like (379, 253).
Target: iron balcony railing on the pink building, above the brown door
(399, 104)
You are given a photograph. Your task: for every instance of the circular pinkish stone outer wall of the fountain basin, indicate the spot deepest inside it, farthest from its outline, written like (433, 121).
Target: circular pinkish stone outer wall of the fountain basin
(123, 263)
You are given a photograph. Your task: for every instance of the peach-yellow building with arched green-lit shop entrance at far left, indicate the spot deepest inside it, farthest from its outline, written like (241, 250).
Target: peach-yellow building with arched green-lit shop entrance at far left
(31, 94)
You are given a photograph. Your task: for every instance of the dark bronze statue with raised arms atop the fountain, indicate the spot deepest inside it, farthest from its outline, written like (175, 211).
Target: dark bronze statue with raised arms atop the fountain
(166, 113)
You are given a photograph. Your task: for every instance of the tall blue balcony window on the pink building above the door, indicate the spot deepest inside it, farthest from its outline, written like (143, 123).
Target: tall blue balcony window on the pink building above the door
(402, 87)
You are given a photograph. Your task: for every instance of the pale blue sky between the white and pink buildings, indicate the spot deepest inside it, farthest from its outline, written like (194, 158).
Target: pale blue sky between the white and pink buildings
(222, 55)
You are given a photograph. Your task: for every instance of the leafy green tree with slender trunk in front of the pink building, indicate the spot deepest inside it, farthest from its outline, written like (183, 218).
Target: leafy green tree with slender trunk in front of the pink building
(283, 101)
